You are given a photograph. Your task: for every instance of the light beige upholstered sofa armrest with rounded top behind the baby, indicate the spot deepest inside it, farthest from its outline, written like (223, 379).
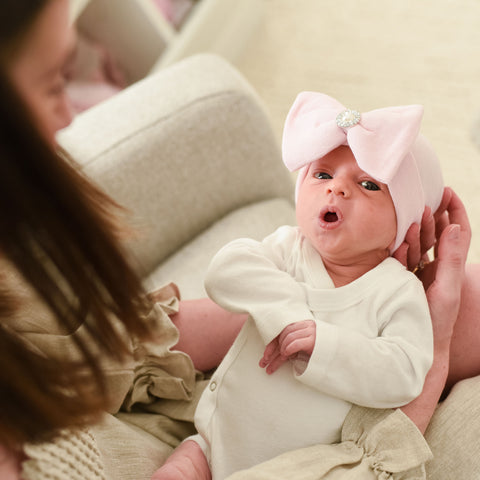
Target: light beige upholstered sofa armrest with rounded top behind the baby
(180, 149)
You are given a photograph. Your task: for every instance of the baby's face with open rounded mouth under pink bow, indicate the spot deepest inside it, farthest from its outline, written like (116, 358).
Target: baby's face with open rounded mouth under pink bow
(347, 216)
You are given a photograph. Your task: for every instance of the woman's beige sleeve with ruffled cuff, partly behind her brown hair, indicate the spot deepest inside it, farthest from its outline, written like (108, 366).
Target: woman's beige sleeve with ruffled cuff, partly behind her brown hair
(152, 372)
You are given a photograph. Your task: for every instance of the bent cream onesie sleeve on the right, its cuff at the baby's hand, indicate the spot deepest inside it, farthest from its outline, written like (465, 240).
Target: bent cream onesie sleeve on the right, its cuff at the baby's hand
(386, 371)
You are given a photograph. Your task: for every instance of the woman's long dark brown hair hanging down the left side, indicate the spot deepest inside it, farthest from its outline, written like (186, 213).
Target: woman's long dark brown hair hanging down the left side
(56, 229)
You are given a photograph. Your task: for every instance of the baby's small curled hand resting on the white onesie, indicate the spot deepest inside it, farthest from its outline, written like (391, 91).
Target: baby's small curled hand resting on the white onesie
(297, 338)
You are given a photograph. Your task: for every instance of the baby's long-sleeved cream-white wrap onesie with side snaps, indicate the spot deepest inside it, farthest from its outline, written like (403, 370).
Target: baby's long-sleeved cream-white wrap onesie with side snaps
(374, 347)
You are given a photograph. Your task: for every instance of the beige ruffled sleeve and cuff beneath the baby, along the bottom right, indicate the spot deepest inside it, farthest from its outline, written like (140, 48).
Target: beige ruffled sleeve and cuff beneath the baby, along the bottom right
(375, 445)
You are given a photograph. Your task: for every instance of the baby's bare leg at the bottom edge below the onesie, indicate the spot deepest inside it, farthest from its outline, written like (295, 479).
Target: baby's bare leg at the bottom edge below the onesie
(187, 462)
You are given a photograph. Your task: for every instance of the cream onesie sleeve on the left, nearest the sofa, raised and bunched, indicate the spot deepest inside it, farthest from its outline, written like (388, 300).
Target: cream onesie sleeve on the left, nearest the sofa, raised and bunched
(247, 276)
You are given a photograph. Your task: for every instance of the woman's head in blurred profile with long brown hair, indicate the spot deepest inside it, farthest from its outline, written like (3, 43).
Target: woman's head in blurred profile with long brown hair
(47, 203)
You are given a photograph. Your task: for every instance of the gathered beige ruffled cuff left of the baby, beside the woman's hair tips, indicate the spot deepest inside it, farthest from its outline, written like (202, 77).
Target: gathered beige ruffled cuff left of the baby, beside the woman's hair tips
(165, 387)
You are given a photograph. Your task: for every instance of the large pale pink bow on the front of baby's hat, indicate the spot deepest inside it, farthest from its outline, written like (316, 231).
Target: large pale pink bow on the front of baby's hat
(379, 141)
